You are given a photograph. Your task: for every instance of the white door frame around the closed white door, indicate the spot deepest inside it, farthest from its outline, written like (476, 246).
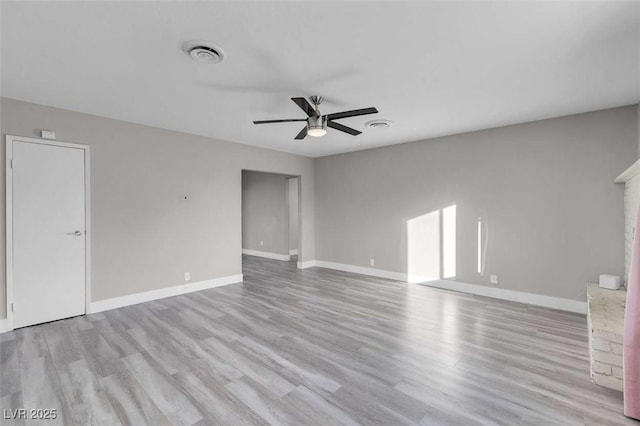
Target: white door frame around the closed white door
(9, 218)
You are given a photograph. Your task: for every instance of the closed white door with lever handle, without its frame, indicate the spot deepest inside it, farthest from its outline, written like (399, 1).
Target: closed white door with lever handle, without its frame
(48, 211)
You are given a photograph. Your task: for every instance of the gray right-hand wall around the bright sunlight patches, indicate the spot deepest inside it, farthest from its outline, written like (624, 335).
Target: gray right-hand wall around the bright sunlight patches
(546, 188)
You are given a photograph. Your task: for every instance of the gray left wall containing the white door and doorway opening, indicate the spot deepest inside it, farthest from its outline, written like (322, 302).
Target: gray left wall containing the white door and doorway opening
(145, 235)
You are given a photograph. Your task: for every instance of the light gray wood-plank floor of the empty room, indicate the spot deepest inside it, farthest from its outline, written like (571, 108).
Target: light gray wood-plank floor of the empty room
(305, 348)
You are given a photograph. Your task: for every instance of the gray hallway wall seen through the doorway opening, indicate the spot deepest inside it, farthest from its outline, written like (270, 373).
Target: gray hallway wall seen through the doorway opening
(264, 212)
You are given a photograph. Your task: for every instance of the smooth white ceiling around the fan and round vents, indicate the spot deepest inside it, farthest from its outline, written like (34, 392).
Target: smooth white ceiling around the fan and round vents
(434, 68)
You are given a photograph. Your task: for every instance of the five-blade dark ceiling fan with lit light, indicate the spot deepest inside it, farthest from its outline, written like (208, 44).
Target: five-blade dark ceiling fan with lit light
(317, 123)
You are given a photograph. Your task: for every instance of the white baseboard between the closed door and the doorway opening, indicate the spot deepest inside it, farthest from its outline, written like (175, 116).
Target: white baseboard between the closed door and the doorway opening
(146, 296)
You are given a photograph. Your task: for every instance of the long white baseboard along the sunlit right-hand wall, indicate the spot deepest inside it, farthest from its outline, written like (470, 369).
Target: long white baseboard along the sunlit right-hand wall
(480, 290)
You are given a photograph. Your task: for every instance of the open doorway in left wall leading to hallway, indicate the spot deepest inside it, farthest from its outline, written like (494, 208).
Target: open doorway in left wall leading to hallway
(271, 219)
